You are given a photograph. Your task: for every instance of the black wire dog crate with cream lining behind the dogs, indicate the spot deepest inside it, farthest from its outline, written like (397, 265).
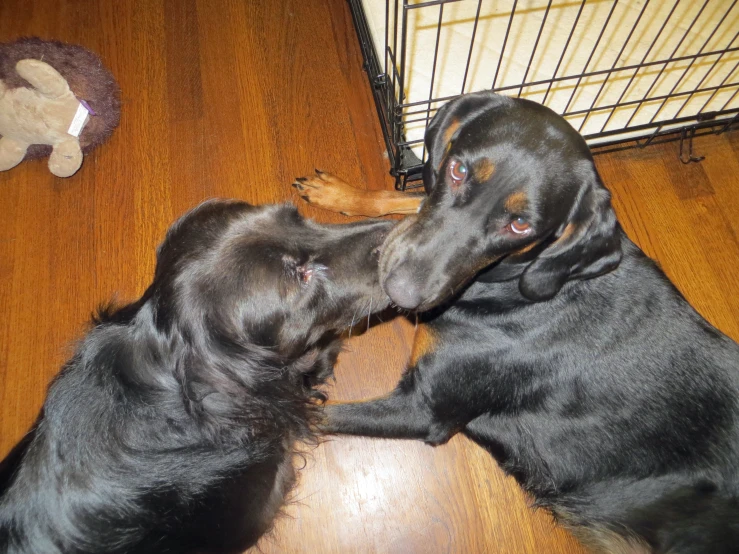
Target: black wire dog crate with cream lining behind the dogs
(624, 73)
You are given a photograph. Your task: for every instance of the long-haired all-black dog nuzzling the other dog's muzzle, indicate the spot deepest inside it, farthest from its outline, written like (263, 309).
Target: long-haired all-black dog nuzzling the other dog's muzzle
(173, 427)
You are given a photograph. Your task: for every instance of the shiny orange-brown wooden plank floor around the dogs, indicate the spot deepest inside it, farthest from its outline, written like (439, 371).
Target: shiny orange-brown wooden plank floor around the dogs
(235, 98)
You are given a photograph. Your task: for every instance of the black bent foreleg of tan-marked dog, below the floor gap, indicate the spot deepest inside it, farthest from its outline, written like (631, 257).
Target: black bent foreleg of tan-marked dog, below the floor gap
(399, 415)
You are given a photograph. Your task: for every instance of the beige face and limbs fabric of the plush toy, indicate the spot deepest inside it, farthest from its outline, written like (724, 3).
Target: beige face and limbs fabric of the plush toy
(40, 115)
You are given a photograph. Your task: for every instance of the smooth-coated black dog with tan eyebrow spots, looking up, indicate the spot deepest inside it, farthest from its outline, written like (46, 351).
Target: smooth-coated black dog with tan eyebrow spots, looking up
(565, 351)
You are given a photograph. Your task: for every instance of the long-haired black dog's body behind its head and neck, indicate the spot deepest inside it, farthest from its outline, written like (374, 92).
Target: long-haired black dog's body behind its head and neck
(116, 464)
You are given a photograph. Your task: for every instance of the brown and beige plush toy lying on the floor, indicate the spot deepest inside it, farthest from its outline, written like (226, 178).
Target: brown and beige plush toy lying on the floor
(56, 100)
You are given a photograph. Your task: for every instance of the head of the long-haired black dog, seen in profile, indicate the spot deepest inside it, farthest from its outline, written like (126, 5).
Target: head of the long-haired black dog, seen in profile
(234, 274)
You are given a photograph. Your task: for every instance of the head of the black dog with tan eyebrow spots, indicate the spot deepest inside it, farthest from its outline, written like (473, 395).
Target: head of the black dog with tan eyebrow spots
(509, 182)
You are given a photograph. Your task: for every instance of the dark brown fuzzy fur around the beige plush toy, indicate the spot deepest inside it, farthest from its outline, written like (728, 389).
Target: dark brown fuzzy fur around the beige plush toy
(88, 79)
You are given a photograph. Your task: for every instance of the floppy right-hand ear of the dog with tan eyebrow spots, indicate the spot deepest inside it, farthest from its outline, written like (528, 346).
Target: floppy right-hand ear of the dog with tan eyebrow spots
(588, 245)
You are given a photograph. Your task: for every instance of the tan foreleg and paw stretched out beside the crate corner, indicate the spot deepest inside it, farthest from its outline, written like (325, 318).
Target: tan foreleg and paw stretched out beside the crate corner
(331, 193)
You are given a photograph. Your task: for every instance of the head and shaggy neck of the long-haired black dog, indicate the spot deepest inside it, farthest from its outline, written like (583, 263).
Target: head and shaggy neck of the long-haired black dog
(244, 316)
